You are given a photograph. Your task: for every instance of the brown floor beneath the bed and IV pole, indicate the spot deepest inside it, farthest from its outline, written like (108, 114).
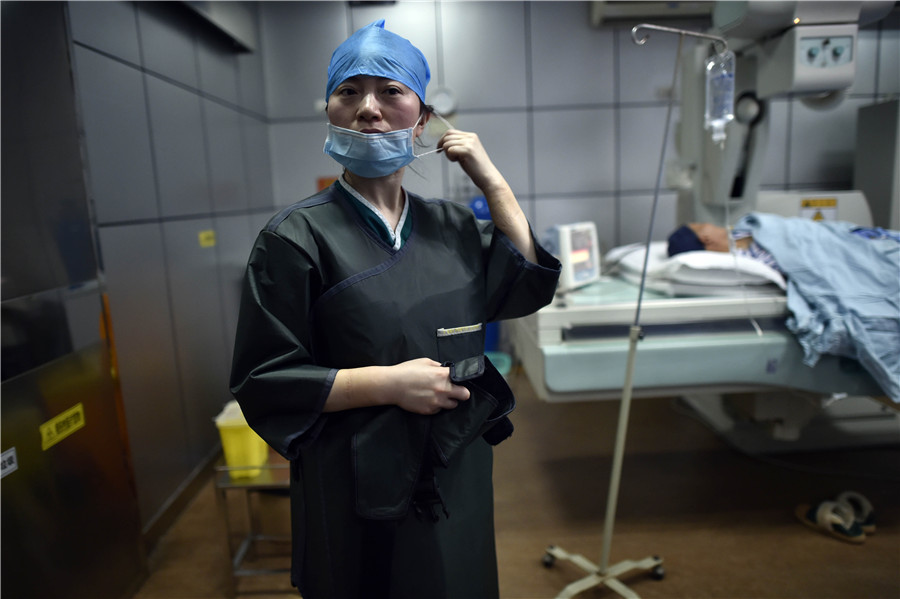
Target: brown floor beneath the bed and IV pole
(722, 521)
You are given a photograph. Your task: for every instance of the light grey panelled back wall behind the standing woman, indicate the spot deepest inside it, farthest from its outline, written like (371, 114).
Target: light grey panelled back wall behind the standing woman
(572, 114)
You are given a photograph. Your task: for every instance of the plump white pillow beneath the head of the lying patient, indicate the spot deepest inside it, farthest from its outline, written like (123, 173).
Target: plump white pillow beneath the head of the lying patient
(694, 268)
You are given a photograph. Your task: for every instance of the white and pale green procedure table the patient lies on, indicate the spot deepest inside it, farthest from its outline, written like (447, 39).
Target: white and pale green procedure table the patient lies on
(703, 345)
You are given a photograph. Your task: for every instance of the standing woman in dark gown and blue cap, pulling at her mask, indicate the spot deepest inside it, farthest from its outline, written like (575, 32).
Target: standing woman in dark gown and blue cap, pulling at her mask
(359, 353)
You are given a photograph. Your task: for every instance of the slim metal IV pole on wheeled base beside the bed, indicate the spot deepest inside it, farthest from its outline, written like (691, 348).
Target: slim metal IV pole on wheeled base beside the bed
(604, 574)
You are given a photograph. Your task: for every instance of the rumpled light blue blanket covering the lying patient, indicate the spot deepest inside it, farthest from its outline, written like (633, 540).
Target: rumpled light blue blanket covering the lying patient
(843, 291)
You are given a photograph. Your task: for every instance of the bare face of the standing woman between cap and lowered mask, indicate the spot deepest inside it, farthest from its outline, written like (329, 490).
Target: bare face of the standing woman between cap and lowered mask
(374, 105)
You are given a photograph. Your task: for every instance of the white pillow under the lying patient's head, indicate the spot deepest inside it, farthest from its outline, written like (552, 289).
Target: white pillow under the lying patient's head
(695, 273)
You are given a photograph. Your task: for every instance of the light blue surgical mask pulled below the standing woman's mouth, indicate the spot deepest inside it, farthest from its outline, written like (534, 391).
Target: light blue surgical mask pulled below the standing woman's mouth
(370, 154)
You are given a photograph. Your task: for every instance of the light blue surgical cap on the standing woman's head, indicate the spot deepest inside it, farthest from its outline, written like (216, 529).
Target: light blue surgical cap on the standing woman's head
(375, 51)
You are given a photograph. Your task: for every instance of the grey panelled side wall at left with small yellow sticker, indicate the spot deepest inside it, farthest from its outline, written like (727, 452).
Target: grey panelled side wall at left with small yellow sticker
(176, 145)
